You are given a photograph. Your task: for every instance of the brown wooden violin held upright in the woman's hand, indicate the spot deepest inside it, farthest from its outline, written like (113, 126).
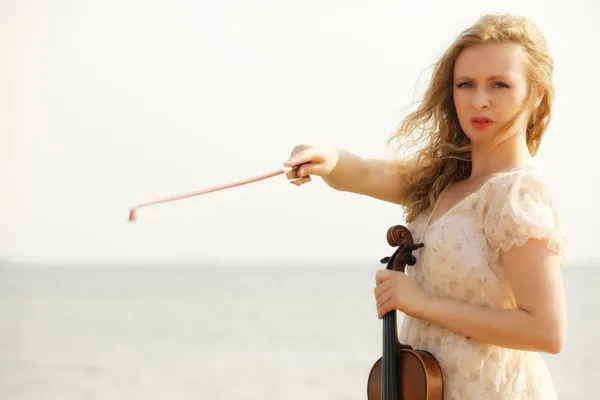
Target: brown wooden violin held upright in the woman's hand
(403, 372)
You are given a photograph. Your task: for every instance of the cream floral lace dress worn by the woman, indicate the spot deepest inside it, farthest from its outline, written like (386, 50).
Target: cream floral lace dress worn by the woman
(460, 260)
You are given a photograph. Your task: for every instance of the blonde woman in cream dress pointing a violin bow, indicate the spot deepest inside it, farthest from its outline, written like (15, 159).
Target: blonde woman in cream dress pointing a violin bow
(486, 295)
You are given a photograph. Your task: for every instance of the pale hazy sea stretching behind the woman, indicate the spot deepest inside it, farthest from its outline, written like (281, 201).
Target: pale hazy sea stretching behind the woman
(200, 331)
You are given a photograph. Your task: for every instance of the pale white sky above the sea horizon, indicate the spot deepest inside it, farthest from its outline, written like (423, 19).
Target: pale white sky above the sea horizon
(108, 104)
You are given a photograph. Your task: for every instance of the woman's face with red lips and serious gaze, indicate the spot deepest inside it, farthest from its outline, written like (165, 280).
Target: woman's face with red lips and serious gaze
(490, 85)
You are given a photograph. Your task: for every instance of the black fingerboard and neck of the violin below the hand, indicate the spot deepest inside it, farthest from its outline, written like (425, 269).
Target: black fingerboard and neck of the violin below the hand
(390, 370)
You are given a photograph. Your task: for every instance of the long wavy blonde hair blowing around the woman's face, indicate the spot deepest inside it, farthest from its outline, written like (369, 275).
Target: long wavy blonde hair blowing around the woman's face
(446, 153)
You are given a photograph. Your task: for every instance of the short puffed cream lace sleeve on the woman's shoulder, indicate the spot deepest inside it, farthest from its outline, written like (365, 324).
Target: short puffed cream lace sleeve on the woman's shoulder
(521, 207)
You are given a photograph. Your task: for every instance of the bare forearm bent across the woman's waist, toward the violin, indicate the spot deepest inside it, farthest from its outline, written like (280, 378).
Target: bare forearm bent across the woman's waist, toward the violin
(512, 328)
